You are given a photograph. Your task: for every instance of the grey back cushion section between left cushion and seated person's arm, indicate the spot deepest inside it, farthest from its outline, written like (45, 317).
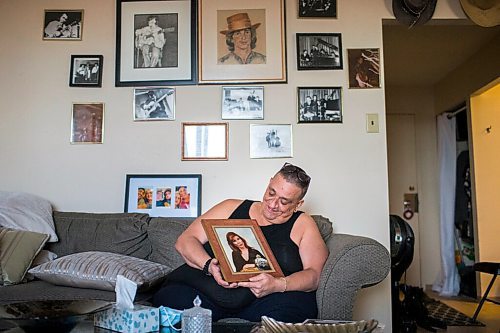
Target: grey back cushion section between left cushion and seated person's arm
(162, 233)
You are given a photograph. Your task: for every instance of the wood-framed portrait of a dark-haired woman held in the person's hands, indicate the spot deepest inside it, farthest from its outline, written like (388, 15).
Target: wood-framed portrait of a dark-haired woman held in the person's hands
(229, 238)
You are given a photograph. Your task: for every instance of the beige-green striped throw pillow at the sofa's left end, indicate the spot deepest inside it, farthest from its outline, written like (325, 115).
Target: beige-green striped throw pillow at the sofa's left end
(18, 248)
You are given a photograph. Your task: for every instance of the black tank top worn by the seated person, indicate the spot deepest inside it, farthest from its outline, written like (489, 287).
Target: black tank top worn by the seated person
(278, 237)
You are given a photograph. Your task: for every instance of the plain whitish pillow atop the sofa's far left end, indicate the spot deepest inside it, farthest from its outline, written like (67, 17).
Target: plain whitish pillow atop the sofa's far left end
(24, 211)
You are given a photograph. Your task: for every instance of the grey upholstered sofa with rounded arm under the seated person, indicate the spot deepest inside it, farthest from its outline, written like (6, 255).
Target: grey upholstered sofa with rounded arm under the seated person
(354, 262)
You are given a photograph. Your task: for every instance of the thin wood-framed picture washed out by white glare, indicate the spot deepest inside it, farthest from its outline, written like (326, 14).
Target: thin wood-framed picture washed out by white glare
(205, 141)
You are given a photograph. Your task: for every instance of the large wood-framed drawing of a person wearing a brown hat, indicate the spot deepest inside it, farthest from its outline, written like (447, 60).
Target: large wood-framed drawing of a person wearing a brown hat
(264, 60)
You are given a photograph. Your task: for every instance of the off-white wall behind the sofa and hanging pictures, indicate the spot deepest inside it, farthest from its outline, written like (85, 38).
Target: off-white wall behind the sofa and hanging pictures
(347, 165)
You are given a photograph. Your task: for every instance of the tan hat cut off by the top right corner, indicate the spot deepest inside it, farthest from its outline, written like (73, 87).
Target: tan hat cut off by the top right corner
(485, 13)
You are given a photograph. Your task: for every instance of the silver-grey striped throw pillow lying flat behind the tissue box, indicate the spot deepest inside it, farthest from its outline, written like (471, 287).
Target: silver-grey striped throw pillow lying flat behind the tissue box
(98, 270)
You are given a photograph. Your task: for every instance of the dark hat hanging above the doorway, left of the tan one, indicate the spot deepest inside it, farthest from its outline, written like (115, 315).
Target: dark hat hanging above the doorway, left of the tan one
(413, 12)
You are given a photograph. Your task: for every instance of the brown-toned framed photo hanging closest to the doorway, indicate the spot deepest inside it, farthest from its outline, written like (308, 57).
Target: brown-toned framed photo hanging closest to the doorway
(364, 68)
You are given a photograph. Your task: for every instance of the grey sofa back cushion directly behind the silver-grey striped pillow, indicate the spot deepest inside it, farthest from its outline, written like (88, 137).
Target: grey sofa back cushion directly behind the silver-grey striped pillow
(124, 233)
